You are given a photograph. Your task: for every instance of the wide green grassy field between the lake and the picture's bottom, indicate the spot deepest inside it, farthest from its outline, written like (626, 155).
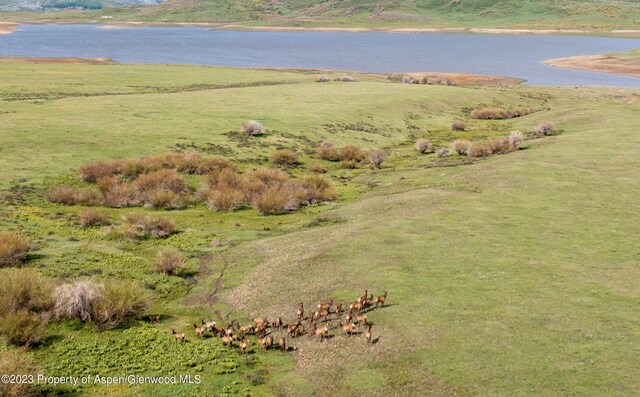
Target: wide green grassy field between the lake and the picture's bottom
(514, 275)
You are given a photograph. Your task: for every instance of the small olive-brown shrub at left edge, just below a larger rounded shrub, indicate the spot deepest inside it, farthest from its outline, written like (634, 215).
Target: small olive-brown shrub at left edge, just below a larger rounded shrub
(22, 328)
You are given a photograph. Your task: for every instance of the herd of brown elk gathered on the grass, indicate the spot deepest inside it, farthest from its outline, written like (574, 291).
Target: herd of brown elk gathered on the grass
(317, 323)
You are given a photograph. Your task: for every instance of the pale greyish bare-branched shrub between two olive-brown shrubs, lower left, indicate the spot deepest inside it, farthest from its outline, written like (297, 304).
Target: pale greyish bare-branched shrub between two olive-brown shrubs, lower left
(75, 300)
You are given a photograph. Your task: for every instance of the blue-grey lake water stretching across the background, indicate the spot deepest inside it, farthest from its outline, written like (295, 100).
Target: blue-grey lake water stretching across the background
(503, 55)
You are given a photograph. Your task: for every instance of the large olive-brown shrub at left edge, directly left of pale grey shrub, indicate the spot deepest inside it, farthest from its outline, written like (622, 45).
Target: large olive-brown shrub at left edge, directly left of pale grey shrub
(24, 289)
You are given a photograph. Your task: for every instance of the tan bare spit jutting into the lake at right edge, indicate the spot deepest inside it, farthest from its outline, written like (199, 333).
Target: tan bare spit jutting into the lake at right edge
(603, 63)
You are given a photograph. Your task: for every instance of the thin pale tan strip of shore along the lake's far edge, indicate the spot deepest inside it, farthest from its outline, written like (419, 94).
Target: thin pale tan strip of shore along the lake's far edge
(10, 27)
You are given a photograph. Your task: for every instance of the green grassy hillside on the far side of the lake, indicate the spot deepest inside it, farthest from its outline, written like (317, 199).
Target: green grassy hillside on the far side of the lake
(570, 14)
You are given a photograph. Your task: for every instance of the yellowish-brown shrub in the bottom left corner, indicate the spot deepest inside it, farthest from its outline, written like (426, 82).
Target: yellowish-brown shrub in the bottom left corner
(17, 362)
